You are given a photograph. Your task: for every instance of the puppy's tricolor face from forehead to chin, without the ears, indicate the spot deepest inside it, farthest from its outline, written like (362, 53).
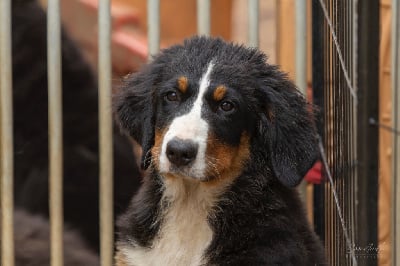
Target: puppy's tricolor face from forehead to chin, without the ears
(202, 126)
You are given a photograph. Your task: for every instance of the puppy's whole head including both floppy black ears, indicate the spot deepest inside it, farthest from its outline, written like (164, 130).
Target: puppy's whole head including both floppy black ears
(201, 110)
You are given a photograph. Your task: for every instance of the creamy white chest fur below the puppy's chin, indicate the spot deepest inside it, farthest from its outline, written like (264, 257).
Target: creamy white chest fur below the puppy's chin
(185, 233)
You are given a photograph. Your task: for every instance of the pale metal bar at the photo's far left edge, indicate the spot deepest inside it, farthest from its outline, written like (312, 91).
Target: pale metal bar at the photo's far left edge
(6, 138)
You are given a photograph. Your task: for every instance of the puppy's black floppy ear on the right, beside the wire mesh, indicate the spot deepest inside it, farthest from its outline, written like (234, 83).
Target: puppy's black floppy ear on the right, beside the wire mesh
(287, 129)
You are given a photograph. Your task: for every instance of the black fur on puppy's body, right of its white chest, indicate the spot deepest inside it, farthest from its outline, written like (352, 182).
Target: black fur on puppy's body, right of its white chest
(266, 226)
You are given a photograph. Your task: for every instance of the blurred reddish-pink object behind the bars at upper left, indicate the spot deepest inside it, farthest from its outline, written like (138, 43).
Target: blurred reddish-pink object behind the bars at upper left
(129, 45)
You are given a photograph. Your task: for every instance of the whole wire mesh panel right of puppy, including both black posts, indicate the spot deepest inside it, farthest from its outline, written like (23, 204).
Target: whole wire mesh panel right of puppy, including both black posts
(345, 51)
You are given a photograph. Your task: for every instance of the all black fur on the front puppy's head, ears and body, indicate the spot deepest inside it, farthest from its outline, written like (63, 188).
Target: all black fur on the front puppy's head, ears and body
(260, 220)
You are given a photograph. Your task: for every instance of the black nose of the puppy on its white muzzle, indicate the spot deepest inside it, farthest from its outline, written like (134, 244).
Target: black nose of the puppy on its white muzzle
(181, 152)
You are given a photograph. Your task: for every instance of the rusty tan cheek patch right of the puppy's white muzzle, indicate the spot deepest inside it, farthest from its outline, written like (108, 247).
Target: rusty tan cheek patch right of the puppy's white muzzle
(224, 162)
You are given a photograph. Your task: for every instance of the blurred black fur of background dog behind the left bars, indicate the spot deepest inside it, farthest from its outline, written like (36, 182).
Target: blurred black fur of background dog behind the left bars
(80, 128)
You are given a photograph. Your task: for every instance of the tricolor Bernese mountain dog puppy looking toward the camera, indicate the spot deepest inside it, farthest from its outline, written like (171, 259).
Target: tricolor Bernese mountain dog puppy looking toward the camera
(225, 137)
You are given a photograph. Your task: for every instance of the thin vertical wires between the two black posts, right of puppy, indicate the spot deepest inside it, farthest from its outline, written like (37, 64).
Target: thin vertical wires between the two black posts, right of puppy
(338, 116)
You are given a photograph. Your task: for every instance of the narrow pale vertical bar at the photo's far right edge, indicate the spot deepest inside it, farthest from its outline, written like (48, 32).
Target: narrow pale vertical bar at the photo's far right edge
(396, 125)
